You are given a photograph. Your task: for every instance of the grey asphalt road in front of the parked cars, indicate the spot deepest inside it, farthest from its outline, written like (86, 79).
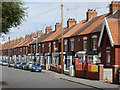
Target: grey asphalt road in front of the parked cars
(16, 78)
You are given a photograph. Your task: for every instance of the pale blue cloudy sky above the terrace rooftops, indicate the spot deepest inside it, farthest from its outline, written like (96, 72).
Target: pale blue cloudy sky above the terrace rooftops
(47, 13)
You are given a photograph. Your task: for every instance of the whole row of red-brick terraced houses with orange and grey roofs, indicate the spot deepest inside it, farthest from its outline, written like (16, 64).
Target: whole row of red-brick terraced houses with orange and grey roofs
(91, 47)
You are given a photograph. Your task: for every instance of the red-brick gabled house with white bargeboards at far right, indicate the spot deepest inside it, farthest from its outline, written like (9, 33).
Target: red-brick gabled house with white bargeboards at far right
(110, 41)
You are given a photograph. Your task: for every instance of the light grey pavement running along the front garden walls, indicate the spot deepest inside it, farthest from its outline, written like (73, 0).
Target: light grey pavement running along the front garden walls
(92, 83)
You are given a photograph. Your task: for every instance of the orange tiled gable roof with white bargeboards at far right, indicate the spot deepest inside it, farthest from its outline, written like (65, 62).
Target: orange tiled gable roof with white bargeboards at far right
(112, 24)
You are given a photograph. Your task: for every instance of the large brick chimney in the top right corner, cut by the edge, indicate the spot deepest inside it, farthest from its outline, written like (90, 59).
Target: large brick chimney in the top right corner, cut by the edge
(115, 5)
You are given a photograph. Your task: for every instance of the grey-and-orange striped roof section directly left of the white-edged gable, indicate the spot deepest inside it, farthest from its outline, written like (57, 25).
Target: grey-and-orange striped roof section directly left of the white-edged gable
(92, 26)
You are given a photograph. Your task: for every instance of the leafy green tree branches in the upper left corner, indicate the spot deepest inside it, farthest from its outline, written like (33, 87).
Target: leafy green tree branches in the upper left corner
(13, 14)
